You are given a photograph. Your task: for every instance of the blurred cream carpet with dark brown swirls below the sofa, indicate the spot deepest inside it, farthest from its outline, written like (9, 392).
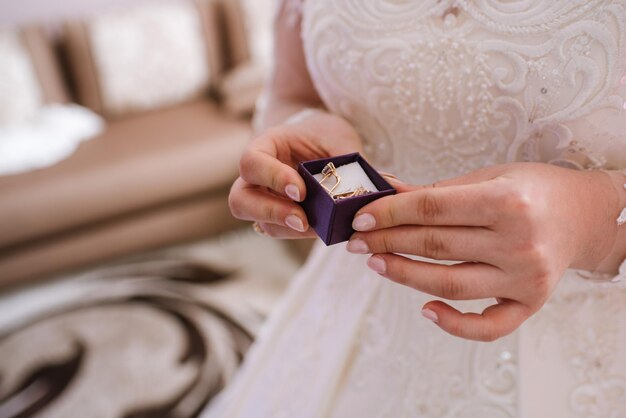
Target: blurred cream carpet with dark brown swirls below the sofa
(155, 336)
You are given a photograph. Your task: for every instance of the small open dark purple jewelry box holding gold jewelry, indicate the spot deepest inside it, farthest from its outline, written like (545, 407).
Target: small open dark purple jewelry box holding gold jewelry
(332, 219)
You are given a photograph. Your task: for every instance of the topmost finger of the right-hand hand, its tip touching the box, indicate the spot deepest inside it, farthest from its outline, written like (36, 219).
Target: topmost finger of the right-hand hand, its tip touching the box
(464, 205)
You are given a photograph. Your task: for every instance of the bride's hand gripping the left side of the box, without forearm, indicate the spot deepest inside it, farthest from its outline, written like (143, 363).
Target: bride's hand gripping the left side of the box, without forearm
(269, 185)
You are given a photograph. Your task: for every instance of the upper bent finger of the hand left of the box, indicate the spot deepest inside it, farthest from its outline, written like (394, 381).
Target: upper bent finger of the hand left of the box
(262, 169)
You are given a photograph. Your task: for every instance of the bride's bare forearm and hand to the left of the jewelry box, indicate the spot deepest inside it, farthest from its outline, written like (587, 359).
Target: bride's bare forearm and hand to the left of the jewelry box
(269, 186)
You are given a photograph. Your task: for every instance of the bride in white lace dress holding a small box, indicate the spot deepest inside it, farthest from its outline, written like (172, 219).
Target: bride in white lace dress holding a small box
(505, 122)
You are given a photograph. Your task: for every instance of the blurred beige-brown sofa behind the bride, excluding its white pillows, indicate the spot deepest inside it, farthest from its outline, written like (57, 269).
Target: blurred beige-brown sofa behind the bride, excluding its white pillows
(150, 179)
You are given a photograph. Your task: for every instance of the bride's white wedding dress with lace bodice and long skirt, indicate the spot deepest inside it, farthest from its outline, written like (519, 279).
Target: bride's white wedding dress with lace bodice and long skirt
(437, 89)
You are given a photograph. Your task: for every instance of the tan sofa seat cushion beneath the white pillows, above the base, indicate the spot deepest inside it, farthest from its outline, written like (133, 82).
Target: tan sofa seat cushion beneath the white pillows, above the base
(141, 161)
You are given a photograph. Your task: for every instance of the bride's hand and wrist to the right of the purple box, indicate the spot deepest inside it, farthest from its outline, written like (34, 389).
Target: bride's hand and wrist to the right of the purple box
(514, 228)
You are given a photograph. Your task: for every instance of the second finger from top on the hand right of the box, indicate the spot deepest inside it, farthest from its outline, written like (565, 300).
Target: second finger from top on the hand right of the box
(439, 243)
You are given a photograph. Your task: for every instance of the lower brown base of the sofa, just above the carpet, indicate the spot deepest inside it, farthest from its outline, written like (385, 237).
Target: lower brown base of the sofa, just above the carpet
(181, 221)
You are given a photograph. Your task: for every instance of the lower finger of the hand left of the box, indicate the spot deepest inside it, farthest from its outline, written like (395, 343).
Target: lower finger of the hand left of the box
(251, 203)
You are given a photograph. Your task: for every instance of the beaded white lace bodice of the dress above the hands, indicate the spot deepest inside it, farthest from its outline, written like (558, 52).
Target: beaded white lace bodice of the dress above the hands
(473, 83)
